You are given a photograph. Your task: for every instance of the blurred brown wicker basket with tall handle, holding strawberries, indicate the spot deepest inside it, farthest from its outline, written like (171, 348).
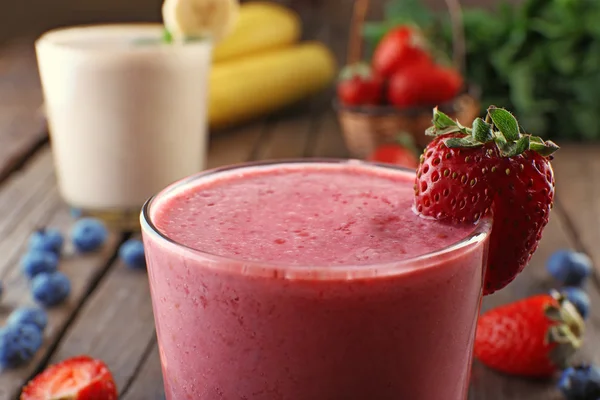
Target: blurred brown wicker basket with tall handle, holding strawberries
(366, 127)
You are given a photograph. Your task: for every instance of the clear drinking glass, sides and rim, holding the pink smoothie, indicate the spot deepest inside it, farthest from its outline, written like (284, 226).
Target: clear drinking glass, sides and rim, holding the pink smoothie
(234, 329)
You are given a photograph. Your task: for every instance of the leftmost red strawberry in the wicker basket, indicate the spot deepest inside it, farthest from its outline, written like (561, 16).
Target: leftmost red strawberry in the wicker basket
(359, 85)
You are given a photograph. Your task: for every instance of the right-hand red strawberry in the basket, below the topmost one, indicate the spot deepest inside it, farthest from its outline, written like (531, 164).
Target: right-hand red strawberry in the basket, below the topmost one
(423, 84)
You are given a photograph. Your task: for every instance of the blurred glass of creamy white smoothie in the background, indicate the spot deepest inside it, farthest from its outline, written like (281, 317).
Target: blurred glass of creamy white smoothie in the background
(126, 114)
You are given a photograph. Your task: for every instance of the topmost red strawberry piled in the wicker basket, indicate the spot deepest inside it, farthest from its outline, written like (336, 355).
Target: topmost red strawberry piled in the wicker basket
(401, 47)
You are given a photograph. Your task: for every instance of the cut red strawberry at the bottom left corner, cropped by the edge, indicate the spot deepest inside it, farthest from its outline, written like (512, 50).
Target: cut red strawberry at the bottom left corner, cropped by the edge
(78, 378)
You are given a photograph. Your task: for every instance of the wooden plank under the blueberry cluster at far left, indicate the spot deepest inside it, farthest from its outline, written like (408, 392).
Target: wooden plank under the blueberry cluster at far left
(40, 205)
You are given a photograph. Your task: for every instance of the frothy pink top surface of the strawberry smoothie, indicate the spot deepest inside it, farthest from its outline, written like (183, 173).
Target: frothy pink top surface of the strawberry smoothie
(317, 215)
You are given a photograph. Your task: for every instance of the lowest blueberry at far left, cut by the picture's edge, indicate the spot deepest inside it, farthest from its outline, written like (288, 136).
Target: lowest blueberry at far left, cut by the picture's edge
(18, 344)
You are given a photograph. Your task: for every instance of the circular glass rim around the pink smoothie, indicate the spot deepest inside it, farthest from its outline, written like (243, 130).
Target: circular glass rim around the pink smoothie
(480, 233)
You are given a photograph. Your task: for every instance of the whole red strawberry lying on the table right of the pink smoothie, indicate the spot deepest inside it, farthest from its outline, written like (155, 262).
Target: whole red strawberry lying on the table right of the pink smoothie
(533, 337)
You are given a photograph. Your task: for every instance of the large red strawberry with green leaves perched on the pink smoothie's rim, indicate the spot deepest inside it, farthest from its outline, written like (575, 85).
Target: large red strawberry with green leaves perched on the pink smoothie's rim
(491, 169)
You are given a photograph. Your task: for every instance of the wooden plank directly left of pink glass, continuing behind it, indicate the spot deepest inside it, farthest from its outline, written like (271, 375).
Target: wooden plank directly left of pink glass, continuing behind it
(116, 324)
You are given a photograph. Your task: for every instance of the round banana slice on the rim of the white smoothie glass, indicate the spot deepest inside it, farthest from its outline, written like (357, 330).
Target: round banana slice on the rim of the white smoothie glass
(200, 18)
